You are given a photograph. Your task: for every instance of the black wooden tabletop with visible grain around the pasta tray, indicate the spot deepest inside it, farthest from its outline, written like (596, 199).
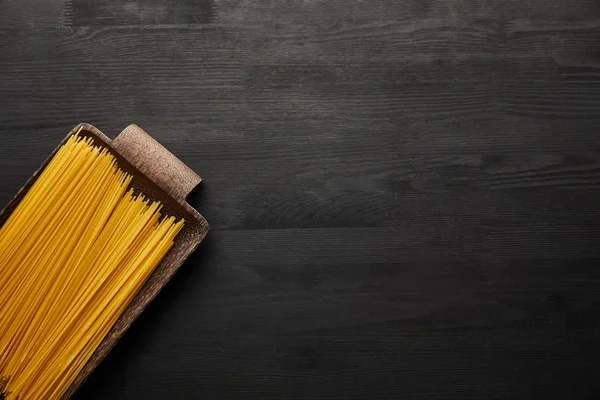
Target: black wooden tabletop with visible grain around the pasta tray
(404, 195)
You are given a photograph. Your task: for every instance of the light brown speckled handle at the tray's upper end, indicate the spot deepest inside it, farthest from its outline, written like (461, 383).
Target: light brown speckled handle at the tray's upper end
(156, 162)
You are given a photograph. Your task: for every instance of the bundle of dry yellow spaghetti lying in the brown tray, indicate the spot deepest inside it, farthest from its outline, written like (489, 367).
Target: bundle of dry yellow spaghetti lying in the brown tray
(73, 254)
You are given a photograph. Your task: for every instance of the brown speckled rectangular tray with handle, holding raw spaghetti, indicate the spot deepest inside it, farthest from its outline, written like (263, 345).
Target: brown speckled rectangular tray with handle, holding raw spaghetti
(160, 176)
